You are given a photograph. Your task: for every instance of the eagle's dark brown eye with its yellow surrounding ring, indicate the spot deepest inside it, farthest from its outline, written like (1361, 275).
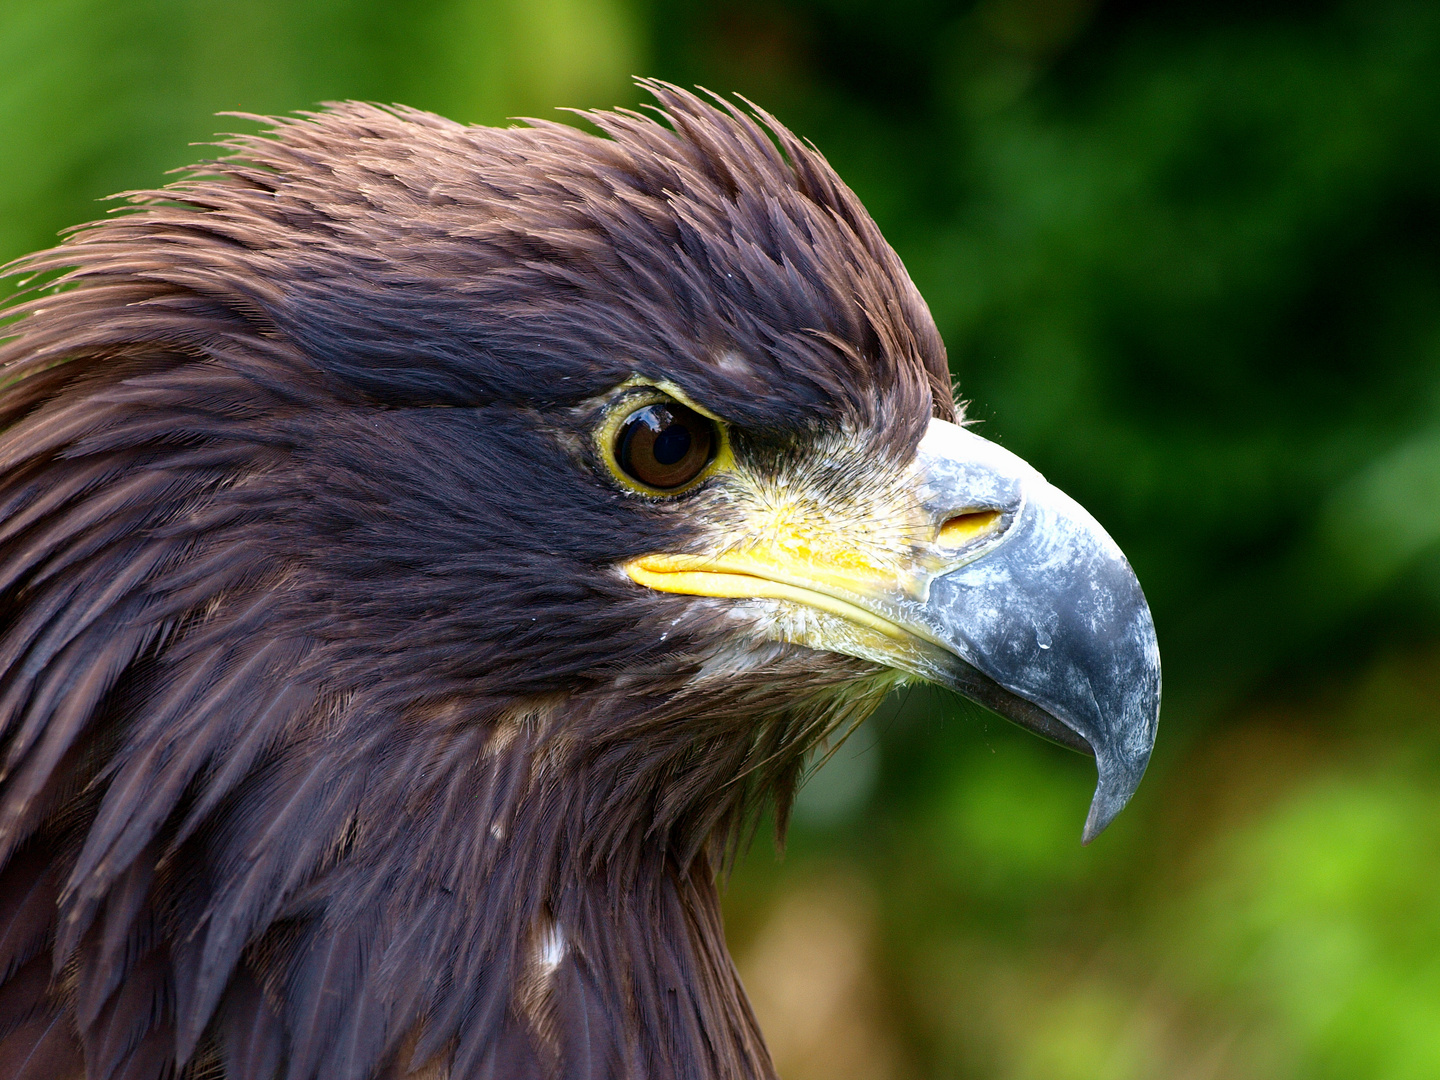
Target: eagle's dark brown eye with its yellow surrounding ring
(659, 446)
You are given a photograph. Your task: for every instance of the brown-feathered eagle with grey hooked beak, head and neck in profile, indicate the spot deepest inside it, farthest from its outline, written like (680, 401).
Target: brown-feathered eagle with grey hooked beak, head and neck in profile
(424, 552)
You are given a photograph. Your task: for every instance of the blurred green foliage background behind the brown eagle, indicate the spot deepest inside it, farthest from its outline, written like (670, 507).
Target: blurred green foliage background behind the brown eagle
(1186, 258)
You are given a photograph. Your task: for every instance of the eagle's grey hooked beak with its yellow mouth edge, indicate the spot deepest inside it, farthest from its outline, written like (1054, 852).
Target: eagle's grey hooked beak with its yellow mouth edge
(1010, 594)
